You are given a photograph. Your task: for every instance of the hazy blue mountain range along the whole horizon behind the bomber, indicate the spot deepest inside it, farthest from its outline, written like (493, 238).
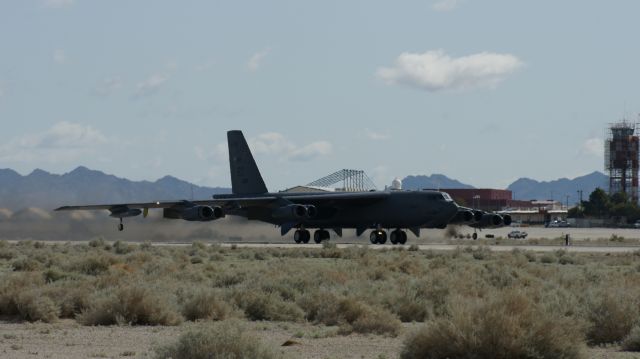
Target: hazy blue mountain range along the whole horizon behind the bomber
(45, 190)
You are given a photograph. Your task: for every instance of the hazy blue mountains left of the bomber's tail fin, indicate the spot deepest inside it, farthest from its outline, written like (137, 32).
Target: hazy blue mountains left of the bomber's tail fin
(84, 186)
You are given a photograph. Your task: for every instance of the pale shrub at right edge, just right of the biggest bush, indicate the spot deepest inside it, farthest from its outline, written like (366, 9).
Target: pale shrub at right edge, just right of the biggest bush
(611, 314)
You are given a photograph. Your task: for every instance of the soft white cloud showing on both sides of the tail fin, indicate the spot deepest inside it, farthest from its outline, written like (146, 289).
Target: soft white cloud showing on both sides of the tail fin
(271, 144)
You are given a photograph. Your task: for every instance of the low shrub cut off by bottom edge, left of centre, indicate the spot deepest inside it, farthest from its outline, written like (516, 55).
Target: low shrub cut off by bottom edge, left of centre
(218, 341)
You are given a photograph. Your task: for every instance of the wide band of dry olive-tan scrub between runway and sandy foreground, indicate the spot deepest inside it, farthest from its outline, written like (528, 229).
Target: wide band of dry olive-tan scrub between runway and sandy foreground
(355, 289)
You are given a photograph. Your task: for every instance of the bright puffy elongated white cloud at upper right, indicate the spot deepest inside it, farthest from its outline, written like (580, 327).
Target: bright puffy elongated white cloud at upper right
(436, 71)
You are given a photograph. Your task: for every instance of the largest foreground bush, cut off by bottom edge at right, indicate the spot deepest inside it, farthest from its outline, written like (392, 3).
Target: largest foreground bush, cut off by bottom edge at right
(509, 325)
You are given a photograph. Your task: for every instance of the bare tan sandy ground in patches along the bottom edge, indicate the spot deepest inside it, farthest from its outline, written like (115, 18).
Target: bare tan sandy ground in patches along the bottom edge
(68, 340)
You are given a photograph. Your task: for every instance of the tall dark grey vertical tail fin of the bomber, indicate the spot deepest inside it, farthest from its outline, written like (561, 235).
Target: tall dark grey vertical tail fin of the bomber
(245, 176)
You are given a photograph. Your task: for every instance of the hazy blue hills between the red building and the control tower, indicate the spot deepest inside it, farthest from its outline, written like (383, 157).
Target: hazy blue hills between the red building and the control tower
(527, 189)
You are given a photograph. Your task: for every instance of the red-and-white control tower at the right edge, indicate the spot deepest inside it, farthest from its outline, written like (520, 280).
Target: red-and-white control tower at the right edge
(621, 158)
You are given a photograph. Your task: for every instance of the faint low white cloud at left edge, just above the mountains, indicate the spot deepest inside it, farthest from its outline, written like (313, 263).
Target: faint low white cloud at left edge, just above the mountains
(65, 141)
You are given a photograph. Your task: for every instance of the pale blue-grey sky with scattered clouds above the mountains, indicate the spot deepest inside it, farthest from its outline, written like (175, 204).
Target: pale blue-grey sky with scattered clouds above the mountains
(484, 92)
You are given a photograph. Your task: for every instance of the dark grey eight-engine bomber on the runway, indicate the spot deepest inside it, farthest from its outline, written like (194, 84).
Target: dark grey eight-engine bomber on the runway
(378, 211)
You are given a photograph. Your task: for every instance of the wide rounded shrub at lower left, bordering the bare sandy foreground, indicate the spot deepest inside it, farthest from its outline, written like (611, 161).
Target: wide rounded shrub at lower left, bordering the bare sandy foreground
(130, 304)
